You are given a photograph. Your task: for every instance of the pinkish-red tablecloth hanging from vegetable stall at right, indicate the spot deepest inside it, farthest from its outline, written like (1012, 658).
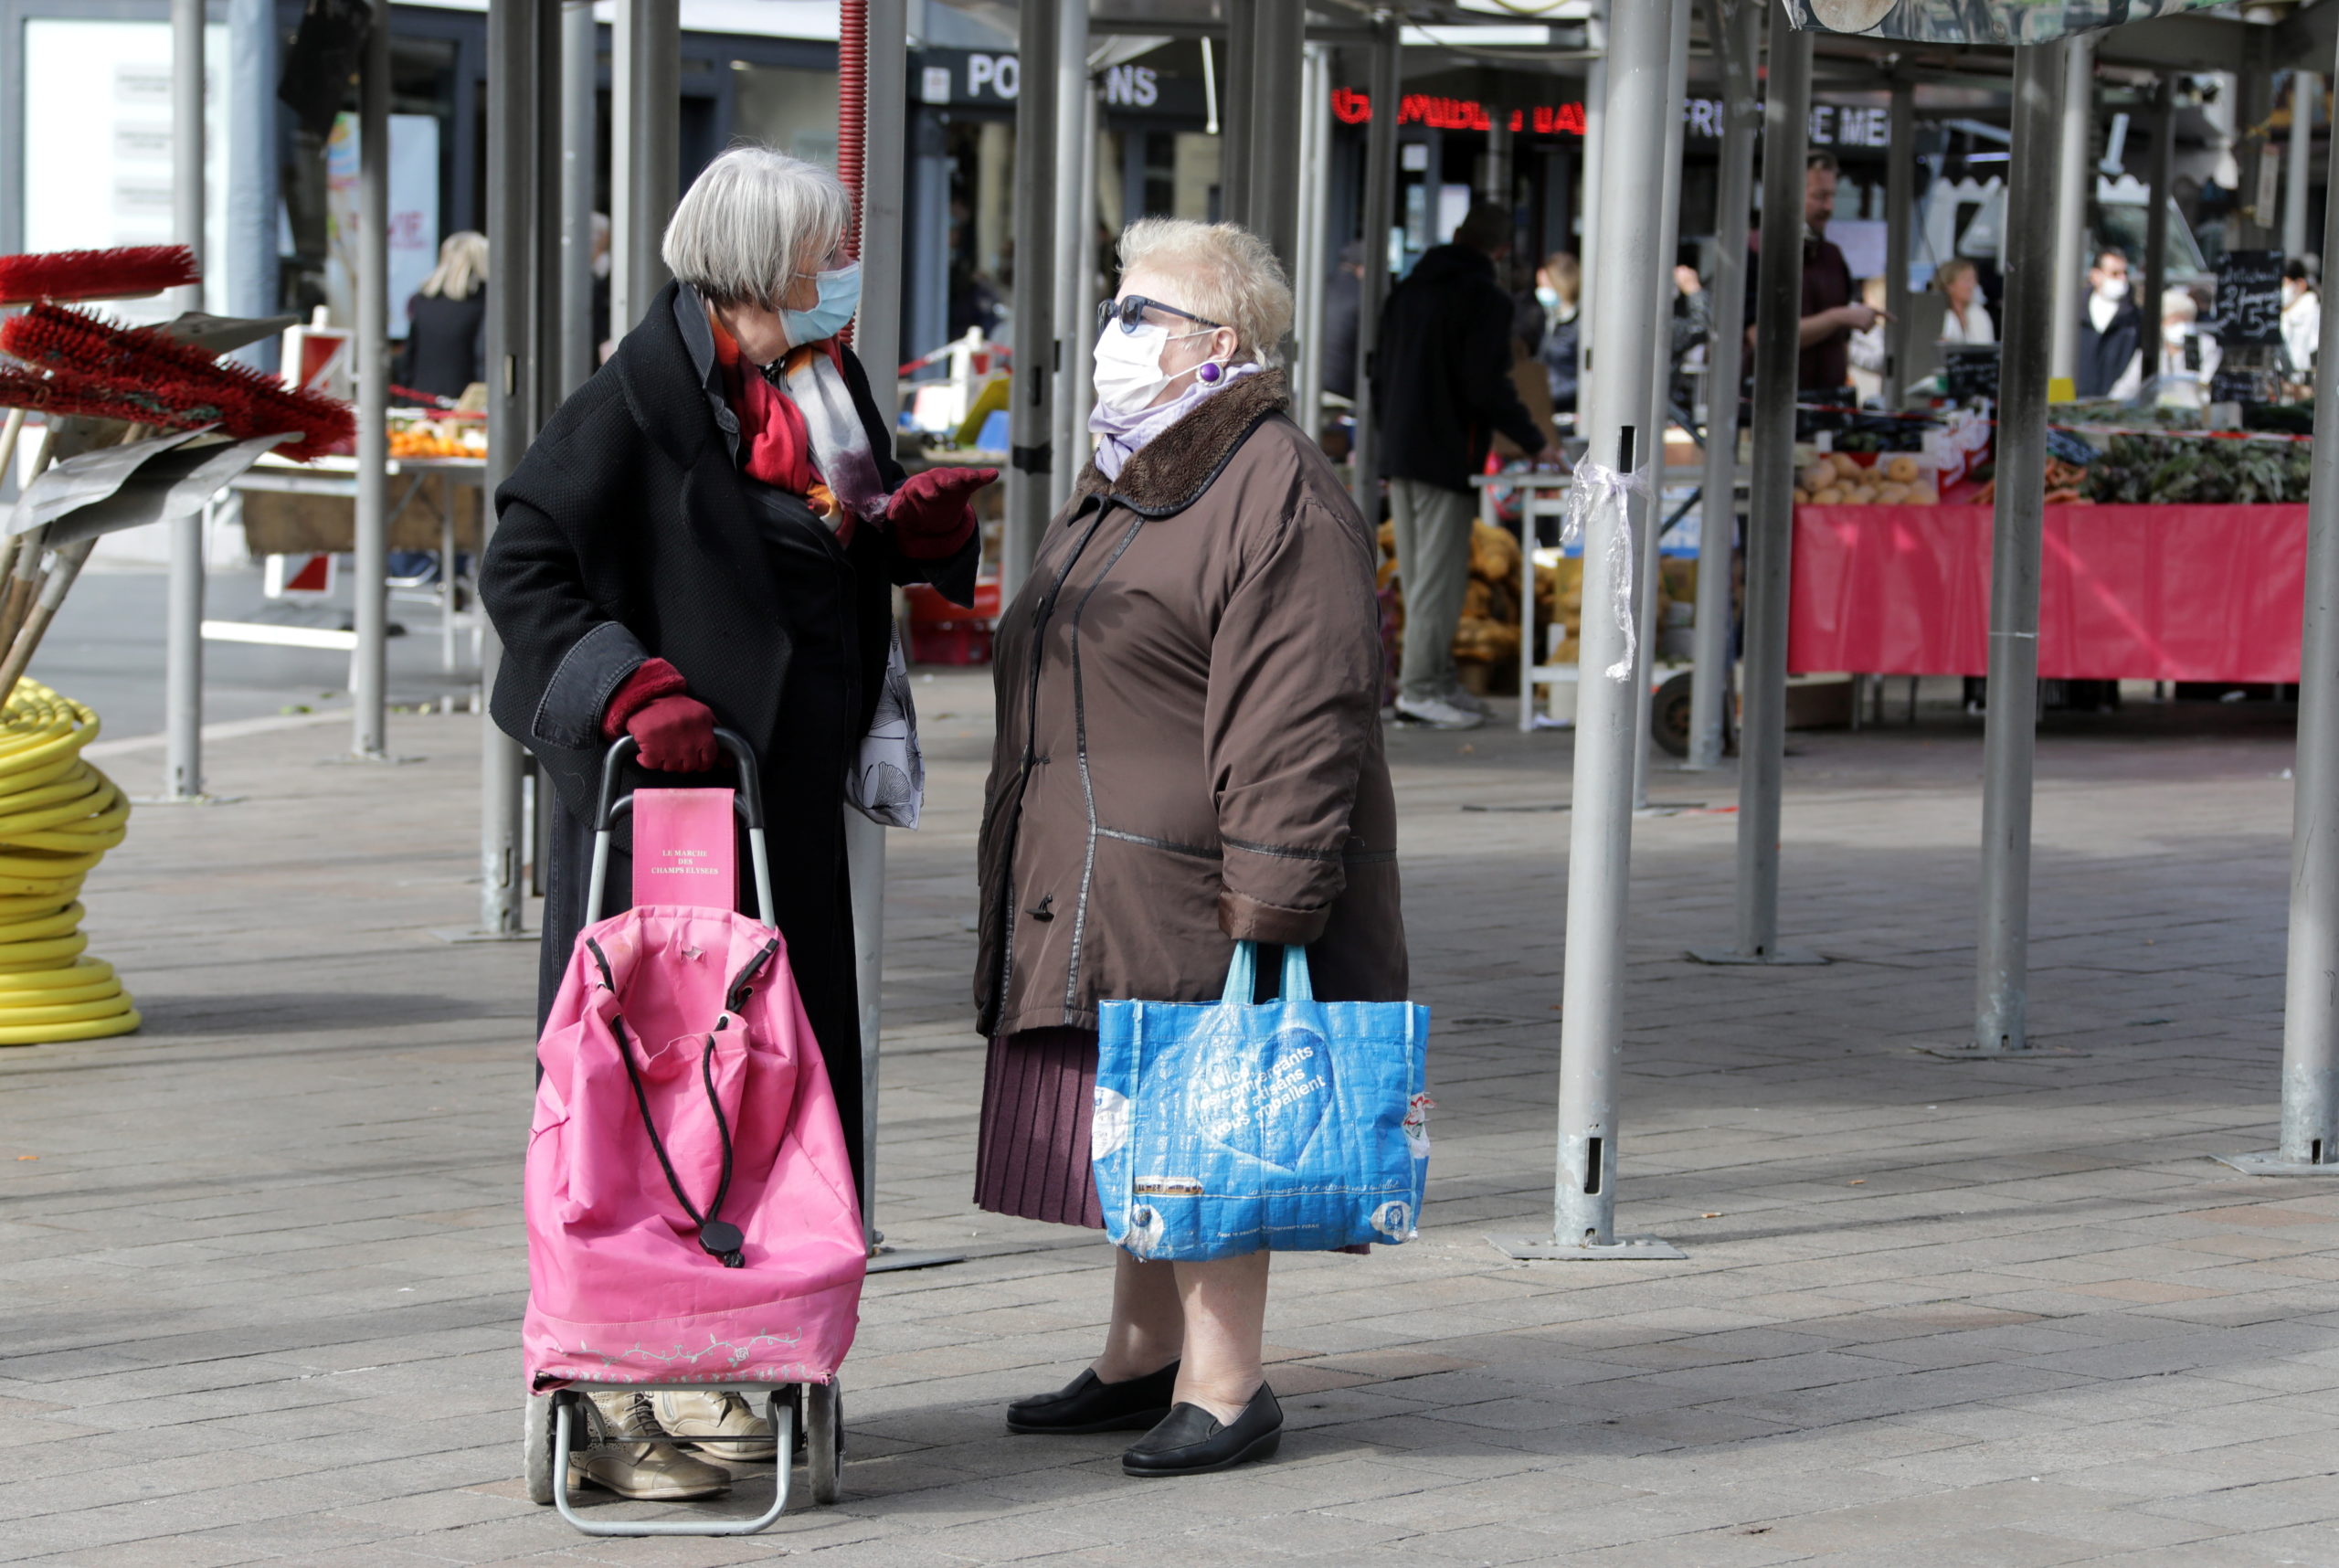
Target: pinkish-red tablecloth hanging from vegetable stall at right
(2153, 593)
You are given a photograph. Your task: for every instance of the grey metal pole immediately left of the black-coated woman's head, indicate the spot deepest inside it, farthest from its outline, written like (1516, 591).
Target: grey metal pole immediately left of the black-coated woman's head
(647, 137)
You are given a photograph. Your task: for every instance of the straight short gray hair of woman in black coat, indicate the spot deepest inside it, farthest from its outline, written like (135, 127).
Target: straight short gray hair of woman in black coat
(747, 226)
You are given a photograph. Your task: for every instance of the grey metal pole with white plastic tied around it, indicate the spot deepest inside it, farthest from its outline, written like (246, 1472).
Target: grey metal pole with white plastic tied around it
(1601, 825)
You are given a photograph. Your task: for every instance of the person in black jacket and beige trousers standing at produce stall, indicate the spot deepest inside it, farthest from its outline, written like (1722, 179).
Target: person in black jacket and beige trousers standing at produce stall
(1442, 390)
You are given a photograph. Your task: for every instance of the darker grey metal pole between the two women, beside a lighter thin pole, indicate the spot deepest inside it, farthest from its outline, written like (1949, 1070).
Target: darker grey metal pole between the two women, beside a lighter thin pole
(1035, 343)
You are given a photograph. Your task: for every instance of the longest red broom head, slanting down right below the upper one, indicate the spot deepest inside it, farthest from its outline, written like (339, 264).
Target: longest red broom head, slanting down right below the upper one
(181, 383)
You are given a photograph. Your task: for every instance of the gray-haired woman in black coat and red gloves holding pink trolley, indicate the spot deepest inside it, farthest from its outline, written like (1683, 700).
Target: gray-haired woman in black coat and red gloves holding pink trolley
(708, 535)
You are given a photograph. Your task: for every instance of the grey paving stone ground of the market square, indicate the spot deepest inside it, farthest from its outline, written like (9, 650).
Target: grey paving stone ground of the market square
(261, 1267)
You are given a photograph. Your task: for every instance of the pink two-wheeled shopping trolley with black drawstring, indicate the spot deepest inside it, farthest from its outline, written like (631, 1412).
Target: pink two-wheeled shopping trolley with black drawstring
(691, 1209)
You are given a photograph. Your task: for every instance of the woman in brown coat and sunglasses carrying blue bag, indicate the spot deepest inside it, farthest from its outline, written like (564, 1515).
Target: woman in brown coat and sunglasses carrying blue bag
(1189, 755)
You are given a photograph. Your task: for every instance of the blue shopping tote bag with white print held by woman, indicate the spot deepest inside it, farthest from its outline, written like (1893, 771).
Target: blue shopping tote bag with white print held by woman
(1234, 1127)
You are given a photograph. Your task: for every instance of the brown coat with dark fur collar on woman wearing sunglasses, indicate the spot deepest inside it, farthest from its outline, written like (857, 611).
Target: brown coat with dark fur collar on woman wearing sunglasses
(1189, 734)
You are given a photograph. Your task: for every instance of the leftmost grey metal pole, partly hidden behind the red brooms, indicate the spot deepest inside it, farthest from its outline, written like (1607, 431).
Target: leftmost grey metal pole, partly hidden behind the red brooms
(184, 628)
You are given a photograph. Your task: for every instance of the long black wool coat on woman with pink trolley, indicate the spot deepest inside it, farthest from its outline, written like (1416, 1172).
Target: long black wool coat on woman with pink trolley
(628, 532)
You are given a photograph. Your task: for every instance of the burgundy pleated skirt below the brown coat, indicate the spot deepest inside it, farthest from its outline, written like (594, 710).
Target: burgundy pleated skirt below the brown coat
(1033, 1153)
